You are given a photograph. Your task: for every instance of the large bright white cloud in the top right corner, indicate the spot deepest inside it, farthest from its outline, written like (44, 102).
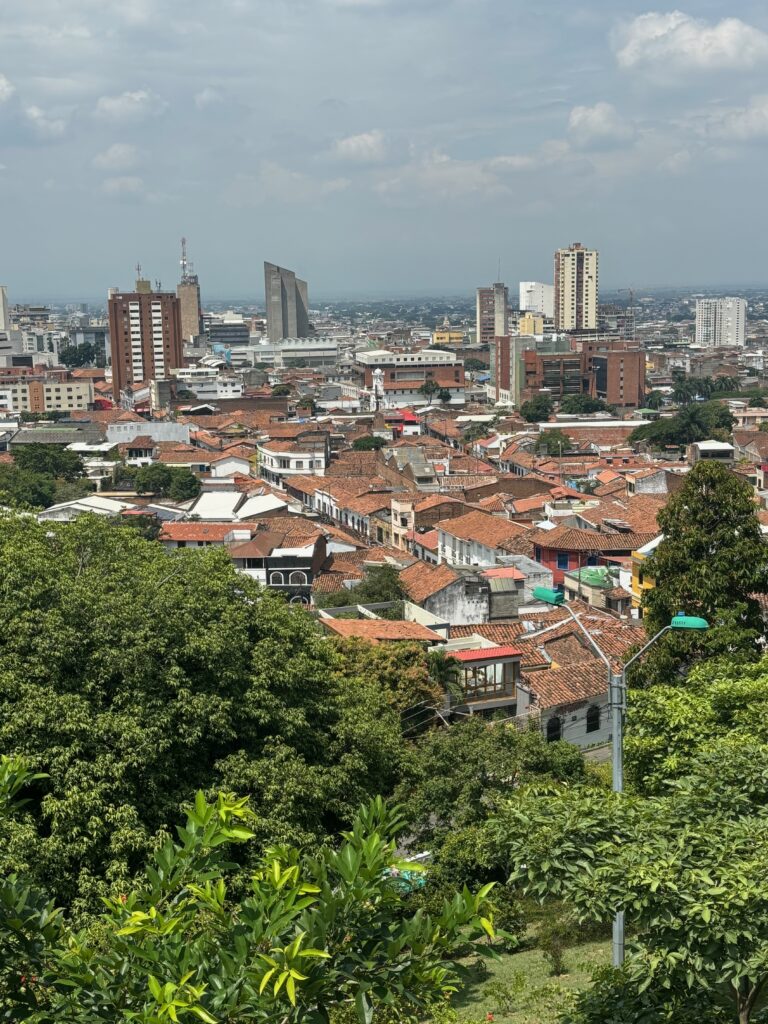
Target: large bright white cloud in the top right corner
(677, 41)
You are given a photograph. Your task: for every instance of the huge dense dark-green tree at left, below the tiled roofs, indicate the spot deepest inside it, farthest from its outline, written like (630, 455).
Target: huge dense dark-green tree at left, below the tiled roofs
(134, 677)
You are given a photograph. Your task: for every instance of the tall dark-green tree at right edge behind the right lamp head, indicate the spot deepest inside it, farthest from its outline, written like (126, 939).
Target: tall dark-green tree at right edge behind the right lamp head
(711, 564)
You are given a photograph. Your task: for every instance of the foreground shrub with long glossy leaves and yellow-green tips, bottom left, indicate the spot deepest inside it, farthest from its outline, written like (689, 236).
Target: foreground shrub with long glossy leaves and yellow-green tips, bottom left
(312, 933)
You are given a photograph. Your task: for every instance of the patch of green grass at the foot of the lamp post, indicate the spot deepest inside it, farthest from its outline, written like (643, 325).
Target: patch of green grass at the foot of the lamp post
(520, 990)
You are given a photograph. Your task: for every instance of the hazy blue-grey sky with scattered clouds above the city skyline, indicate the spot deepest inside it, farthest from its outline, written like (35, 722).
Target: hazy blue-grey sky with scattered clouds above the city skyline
(380, 148)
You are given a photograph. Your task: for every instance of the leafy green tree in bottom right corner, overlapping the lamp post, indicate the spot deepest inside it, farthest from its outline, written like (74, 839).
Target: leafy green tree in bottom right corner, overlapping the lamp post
(688, 871)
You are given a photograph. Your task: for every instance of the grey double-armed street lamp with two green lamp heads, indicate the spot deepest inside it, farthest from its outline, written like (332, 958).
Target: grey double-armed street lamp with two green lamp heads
(618, 698)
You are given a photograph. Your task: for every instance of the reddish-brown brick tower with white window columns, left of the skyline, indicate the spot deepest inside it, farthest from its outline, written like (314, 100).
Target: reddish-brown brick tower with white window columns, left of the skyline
(145, 335)
